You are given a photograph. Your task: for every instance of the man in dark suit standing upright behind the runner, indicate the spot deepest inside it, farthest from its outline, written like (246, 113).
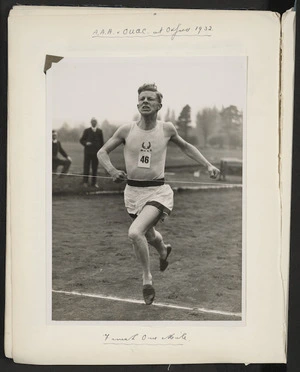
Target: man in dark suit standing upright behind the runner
(92, 140)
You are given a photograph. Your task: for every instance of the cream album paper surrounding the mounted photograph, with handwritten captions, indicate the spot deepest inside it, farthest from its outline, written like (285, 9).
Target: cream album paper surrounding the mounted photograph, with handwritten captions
(34, 33)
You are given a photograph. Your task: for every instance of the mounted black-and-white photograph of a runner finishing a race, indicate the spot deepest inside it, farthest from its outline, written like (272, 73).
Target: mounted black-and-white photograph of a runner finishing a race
(147, 188)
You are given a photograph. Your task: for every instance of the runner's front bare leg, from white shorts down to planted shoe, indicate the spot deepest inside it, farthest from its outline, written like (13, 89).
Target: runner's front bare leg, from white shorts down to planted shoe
(137, 235)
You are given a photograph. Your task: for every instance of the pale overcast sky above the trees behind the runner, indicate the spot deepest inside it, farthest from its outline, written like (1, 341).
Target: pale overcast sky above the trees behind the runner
(107, 88)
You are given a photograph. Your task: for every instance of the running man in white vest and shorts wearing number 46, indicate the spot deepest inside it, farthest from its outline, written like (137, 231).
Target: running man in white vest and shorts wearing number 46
(147, 198)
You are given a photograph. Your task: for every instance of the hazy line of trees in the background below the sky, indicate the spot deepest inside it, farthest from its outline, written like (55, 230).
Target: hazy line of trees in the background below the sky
(217, 128)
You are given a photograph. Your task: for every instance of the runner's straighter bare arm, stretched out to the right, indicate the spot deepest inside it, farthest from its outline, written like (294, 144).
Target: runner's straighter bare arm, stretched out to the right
(190, 150)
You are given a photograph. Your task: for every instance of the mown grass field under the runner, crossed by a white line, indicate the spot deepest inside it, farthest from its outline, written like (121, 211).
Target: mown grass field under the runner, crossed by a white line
(91, 254)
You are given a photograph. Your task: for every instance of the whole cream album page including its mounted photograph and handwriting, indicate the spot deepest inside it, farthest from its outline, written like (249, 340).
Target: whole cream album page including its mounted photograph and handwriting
(149, 166)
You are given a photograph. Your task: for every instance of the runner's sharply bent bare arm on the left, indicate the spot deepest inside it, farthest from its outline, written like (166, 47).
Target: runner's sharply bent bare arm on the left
(103, 154)
